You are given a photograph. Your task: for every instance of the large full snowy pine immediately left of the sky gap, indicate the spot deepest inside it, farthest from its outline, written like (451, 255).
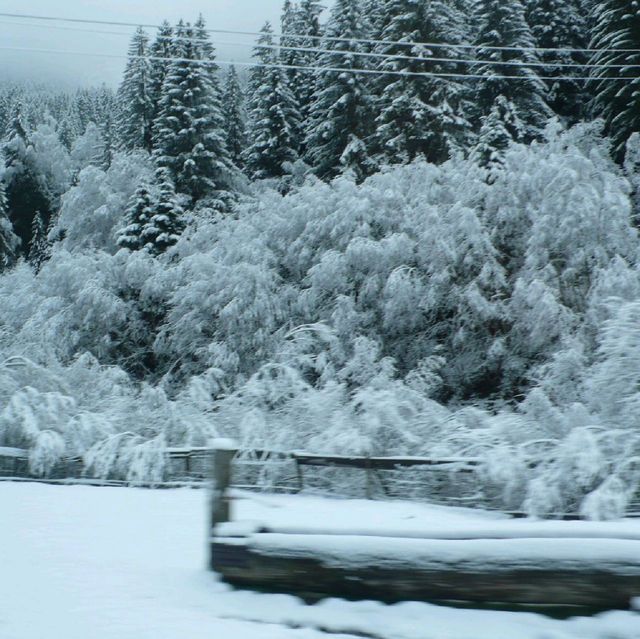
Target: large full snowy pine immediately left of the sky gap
(188, 133)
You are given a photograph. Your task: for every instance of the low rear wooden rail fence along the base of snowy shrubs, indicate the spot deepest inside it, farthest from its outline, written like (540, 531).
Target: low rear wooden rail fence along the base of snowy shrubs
(447, 480)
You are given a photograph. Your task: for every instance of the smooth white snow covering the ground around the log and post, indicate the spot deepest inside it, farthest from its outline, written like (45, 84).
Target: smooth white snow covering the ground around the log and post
(79, 562)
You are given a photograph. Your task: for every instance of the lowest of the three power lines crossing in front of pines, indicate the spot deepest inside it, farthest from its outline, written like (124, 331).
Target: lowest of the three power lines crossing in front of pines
(322, 69)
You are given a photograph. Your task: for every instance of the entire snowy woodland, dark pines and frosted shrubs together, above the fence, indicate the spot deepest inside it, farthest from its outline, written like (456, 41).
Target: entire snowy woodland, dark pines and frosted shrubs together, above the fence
(410, 227)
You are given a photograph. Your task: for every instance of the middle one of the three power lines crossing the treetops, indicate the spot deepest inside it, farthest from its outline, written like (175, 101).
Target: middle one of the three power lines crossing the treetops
(382, 56)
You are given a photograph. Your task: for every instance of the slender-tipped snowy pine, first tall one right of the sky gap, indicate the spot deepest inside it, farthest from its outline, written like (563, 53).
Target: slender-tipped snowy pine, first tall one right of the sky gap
(274, 117)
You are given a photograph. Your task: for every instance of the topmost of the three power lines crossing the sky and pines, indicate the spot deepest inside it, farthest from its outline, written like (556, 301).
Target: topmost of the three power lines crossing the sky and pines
(433, 45)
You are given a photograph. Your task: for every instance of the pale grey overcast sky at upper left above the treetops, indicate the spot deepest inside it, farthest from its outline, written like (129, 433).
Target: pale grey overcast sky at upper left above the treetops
(240, 15)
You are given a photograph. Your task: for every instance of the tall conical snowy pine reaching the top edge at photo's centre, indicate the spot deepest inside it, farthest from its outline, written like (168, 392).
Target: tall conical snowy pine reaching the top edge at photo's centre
(342, 111)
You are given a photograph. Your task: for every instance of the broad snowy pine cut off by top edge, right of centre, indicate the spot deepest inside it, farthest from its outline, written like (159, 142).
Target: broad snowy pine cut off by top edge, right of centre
(420, 116)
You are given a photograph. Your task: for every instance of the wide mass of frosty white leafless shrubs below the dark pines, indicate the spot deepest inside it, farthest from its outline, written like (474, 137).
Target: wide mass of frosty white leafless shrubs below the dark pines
(428, 310)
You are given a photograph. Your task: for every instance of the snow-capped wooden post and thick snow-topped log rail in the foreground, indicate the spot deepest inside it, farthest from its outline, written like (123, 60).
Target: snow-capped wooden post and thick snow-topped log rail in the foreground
(470, 566)
